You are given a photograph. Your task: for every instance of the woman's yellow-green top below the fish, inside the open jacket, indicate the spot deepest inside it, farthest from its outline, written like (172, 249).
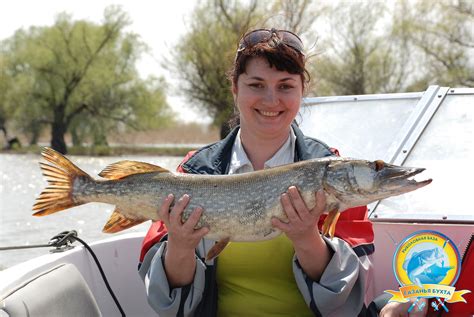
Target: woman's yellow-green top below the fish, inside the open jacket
(256, 279)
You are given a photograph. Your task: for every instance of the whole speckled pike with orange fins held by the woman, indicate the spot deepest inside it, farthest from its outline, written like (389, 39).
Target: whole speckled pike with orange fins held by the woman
(236, 207)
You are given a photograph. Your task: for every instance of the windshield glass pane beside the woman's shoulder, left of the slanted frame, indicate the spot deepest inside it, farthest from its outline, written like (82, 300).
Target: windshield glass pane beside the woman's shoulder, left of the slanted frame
(360, 129)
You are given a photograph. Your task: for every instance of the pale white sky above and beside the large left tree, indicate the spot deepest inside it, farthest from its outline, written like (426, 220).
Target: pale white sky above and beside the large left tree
(159, 23)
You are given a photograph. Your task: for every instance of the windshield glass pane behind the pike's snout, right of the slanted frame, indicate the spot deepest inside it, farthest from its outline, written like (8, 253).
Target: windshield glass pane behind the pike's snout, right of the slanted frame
(445, 149)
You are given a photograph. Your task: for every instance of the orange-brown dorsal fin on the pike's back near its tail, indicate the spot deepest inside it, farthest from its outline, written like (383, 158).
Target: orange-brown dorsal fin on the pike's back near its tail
(125, 168)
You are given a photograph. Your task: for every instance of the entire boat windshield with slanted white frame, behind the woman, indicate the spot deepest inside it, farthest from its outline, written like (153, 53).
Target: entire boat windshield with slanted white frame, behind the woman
(431, 129)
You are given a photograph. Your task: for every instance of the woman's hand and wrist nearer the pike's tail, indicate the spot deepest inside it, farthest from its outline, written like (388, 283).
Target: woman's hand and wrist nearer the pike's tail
(180, 261)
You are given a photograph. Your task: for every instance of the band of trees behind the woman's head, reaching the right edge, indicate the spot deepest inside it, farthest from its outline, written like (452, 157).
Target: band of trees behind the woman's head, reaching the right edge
(354, 47)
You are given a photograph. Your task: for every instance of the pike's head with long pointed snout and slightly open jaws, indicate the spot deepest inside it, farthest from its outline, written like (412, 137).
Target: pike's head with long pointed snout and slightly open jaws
(359, 182)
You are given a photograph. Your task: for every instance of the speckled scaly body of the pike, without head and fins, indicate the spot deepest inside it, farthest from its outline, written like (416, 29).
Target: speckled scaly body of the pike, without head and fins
(235, 206)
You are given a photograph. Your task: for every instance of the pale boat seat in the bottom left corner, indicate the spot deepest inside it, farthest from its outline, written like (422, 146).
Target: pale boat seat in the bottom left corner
(60, 291)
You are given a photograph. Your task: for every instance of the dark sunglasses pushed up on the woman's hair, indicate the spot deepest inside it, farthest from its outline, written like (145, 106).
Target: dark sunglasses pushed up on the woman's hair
(264, 35)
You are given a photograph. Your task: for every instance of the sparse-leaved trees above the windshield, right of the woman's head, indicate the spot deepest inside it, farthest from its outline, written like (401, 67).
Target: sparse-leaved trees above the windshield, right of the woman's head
(373, 47)
